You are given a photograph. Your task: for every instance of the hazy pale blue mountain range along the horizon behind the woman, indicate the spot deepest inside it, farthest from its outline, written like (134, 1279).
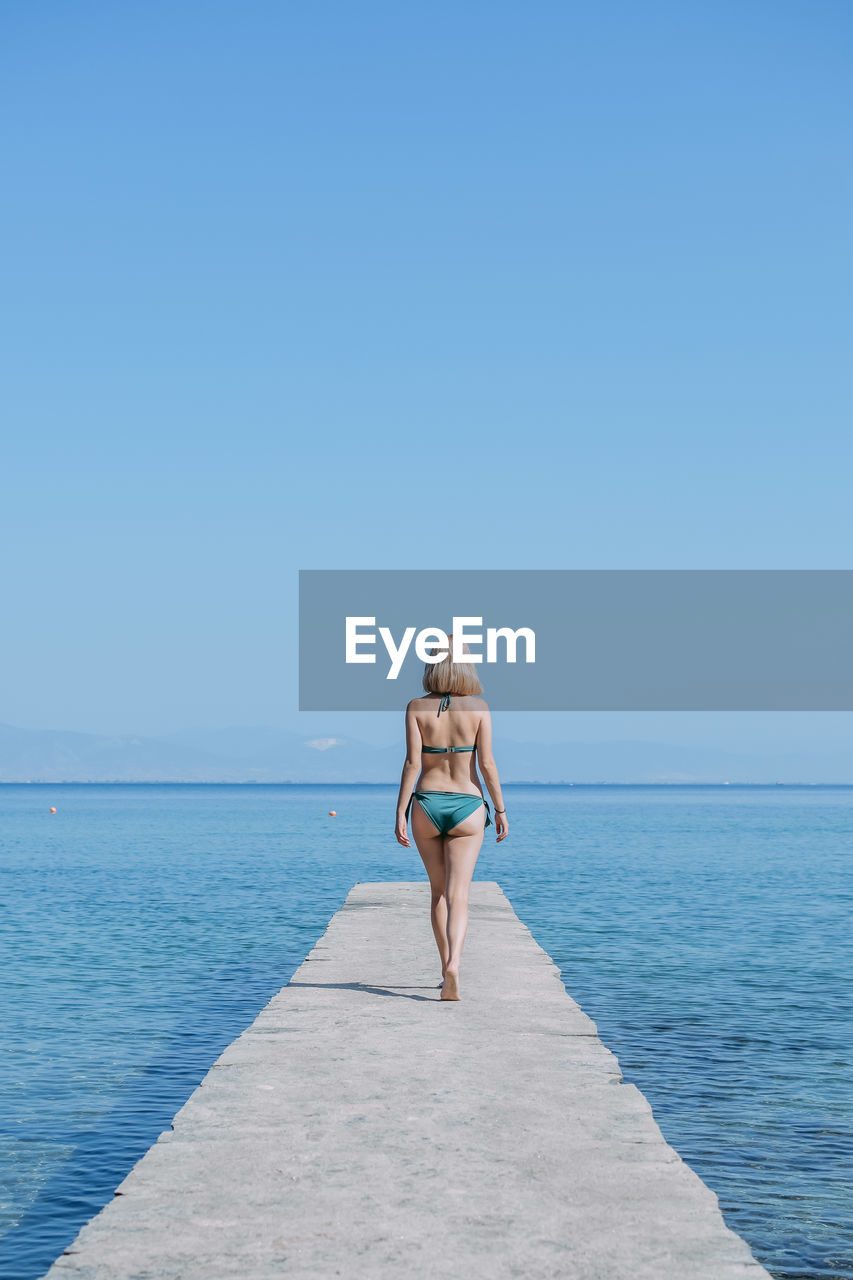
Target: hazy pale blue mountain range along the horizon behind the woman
(273, 756)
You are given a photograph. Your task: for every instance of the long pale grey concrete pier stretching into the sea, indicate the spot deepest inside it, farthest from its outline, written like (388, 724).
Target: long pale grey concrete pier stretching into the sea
(363, 1128)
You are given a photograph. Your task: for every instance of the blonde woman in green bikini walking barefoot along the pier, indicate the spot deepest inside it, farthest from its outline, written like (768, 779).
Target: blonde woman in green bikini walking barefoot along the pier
(446, 733)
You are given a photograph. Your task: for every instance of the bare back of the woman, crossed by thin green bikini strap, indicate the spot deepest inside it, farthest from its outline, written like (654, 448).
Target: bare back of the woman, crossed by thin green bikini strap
(457, 726)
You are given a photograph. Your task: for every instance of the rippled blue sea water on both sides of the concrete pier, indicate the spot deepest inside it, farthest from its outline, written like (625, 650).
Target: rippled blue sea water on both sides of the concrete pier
(705, 930)
